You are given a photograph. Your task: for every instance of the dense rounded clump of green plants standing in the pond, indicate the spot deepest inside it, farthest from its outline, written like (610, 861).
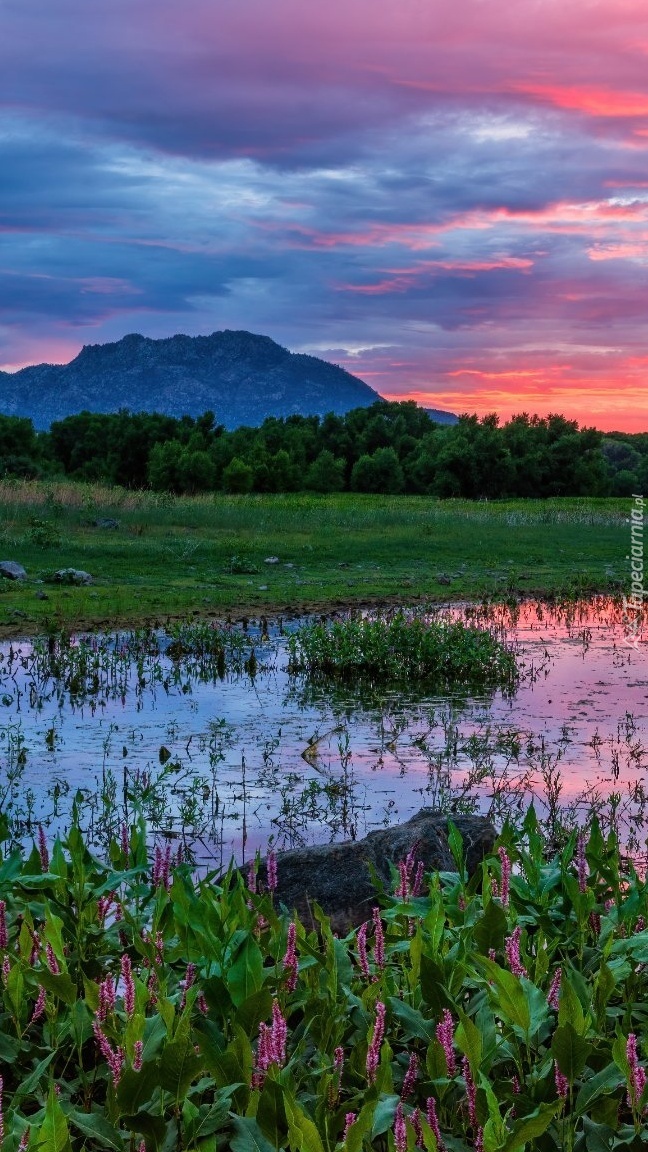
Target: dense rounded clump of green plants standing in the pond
(403, 648)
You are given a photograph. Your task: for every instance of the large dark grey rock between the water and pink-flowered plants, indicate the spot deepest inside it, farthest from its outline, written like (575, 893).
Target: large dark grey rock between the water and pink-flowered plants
(338, 877)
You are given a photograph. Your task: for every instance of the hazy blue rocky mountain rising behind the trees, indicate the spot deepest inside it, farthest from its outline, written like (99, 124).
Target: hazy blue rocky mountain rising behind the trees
(242, 377)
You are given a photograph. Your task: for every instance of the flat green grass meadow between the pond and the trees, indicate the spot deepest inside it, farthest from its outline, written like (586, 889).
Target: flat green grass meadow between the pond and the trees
(174, 557)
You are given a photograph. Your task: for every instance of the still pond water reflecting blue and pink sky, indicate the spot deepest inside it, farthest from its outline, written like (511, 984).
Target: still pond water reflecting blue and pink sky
(267, 759)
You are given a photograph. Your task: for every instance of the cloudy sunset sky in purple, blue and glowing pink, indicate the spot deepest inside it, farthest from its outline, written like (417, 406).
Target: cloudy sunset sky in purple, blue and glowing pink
(447, 198)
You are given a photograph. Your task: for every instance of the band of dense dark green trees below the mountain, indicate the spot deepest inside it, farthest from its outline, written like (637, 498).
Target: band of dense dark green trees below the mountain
(388, 448)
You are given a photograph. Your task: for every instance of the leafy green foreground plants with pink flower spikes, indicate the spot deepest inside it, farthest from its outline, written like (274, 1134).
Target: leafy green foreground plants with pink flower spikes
(500, 1013)
